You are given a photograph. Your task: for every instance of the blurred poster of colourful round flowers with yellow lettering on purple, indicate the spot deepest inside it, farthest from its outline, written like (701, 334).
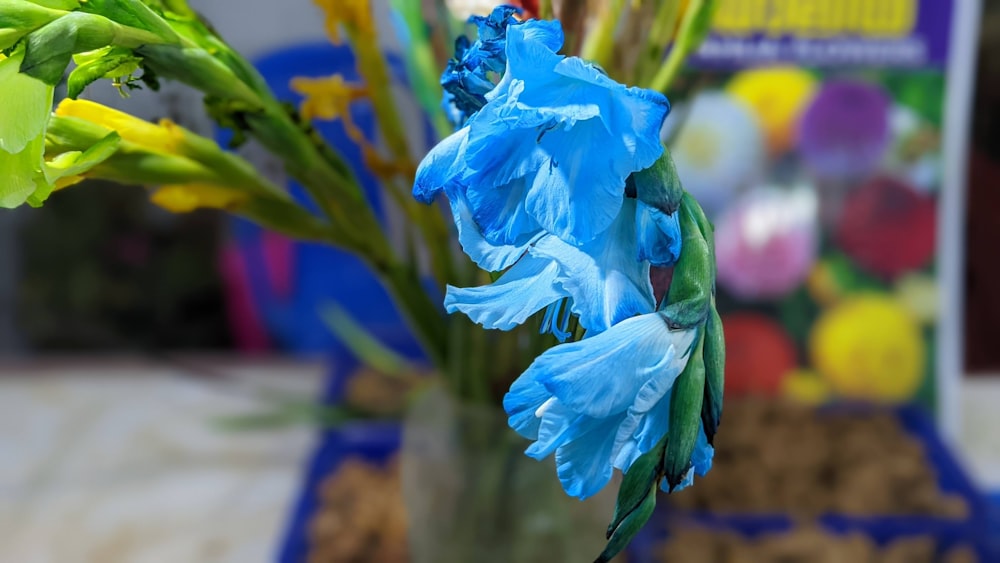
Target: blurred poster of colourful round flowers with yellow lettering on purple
(815, 136)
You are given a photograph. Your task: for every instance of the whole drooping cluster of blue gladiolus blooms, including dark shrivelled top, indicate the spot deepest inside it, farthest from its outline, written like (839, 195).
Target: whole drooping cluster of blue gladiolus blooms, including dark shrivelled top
(558, 179)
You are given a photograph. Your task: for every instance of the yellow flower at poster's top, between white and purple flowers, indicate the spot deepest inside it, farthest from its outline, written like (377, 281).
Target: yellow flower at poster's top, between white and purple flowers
(777, 96)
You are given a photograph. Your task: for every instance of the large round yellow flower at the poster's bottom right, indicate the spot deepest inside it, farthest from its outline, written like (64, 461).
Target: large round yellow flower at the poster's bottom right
(869, 347)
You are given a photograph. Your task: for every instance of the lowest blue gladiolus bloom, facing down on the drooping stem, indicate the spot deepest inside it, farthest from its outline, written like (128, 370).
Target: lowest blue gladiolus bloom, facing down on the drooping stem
(599, 403)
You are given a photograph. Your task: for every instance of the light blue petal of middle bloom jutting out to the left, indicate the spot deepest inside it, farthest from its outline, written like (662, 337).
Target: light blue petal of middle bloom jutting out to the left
(526, 288)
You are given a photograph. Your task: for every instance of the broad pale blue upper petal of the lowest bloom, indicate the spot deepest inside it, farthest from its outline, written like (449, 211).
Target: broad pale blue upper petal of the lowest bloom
(602, 375)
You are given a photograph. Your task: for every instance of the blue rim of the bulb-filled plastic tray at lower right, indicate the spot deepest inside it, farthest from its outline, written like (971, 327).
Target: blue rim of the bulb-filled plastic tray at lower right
(972, 531)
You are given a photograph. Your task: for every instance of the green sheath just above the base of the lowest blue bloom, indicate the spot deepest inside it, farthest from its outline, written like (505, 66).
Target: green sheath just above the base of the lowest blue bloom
(693, 283)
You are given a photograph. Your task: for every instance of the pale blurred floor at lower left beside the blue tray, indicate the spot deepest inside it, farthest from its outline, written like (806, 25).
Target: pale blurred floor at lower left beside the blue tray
(127, 463)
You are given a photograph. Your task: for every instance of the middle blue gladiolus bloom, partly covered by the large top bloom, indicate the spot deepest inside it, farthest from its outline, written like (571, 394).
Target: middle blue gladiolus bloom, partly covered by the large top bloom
(603, 282)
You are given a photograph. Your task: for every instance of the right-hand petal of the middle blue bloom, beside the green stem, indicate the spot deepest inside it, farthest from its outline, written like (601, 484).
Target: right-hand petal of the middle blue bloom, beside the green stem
(603, 277)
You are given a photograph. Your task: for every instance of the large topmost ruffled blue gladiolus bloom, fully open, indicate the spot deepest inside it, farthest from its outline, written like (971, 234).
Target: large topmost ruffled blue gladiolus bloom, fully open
(551, 149)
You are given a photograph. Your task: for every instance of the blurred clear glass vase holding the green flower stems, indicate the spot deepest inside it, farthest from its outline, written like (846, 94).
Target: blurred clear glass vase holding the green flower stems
(472, 495)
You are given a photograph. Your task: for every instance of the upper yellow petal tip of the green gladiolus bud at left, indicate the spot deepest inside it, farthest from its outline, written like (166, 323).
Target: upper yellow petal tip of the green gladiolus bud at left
(165, 137)
